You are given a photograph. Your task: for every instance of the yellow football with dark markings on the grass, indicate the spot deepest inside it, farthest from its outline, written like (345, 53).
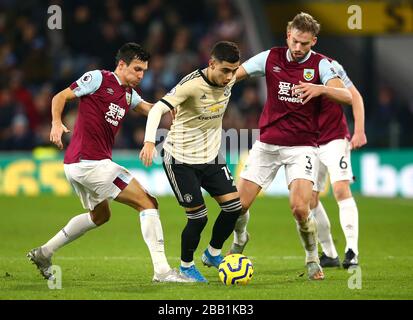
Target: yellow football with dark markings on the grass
(235, 269)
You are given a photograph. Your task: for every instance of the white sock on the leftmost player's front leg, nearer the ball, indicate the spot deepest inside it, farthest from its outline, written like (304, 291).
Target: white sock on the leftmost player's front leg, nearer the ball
(153, 235)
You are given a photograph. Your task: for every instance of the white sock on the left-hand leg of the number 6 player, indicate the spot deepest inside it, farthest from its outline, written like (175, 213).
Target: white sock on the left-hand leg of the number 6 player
(324, 231)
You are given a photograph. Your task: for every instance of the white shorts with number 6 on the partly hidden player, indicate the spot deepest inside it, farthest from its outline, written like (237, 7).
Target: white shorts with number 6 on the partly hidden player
(334, 158)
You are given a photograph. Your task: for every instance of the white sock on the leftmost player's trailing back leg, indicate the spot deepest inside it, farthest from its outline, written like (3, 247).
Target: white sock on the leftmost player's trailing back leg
(75, 228)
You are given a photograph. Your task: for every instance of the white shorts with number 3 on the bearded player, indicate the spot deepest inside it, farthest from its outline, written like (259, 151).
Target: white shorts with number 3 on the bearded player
(264, 160)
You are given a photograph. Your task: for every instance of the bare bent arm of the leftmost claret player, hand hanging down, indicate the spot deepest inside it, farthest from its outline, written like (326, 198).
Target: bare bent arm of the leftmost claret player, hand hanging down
(58, 104)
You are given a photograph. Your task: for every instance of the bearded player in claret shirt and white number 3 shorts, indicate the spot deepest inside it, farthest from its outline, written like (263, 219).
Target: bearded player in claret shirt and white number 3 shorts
(296, 79)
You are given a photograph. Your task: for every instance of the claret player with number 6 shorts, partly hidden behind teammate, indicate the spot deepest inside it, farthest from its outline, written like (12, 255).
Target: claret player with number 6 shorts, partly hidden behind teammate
(334, 156)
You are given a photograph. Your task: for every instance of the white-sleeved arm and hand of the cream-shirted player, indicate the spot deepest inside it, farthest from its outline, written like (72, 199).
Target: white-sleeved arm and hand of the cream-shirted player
(154, 117)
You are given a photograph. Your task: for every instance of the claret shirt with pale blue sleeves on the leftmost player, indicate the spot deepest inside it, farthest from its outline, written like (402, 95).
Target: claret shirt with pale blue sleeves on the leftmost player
(103, 105)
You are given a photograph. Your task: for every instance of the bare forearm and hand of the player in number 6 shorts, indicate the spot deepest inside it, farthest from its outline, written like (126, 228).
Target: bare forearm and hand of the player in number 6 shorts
(359, 138)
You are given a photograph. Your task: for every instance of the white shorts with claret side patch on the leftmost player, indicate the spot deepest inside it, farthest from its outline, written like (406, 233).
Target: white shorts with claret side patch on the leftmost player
(96, 181)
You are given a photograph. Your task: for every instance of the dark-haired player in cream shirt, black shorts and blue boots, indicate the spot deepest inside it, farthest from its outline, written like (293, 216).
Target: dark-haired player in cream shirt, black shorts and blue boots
(191, 153)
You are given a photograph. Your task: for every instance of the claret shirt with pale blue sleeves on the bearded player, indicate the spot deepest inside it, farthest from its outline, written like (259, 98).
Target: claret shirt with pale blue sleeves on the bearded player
(285, 120)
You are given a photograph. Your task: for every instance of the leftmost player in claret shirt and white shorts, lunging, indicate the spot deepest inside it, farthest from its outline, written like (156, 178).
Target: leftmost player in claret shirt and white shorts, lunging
(105, 98)
